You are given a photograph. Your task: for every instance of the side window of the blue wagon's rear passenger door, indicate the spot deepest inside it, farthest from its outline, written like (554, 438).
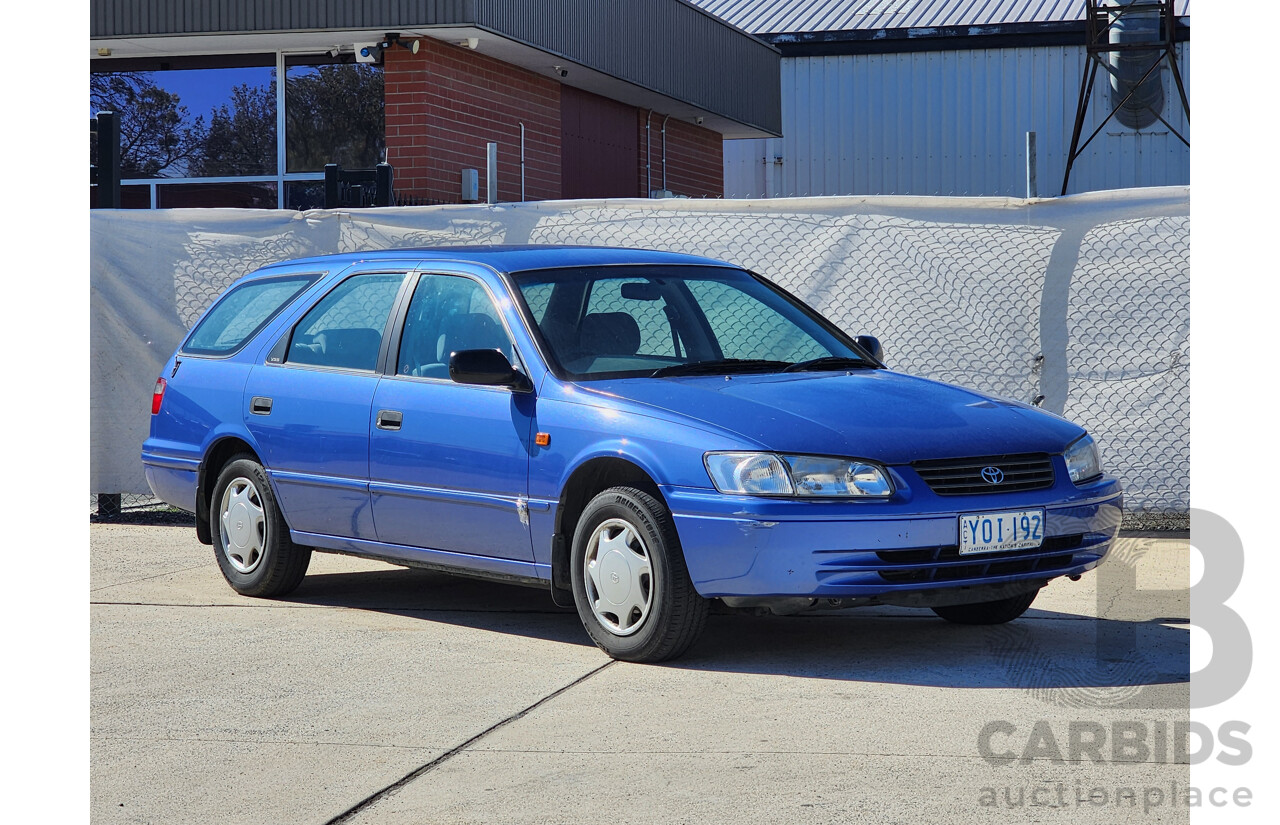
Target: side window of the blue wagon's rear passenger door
(345, 331)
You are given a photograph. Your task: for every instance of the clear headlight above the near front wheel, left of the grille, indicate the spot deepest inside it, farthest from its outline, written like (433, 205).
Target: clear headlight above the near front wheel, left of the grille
(767, 474)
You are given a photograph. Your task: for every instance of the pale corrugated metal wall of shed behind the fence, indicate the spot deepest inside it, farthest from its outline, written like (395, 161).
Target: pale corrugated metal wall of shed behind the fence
(950, 123)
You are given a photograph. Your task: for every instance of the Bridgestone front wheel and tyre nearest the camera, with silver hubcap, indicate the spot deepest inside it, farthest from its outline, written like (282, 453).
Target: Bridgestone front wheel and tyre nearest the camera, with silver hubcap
(628, 558)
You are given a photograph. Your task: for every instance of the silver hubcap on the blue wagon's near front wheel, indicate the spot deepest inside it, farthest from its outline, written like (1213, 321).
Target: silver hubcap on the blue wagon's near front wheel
(619, 577)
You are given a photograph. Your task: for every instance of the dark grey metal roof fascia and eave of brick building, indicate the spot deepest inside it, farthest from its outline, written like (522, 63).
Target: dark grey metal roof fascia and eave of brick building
(700, 68)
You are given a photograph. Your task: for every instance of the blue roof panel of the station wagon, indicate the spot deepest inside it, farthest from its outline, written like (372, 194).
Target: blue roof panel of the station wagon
(508, 259)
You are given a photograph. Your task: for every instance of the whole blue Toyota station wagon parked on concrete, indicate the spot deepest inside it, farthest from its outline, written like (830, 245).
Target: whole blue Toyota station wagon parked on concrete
(639, 433)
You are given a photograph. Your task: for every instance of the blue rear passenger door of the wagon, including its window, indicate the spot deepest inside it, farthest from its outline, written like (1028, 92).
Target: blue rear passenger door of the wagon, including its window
(309, 406)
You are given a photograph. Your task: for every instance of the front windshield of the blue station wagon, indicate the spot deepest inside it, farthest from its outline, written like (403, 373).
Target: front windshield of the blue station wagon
(662, 322)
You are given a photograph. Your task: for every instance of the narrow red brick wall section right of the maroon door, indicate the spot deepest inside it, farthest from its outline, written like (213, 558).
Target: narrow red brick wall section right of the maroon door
(696, 158)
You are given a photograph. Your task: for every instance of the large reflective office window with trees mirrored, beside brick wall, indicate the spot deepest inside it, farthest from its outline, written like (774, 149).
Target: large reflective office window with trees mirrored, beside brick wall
(200, 136)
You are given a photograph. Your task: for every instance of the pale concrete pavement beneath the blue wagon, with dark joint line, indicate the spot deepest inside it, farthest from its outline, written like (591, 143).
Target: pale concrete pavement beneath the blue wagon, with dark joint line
(385, 695)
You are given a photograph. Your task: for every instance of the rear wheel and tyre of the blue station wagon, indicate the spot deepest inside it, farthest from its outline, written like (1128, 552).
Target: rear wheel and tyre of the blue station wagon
(252, 540)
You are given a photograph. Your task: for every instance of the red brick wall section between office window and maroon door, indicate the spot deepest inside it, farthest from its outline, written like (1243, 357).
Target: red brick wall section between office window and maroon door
(446, 103)
